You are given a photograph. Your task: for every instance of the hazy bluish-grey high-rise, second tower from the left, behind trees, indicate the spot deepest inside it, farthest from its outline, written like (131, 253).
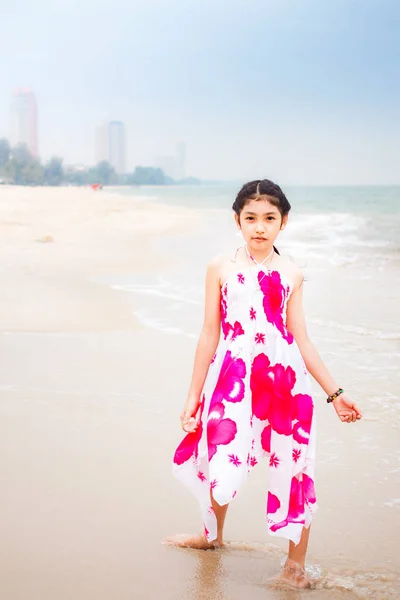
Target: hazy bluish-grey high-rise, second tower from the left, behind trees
(110, 145)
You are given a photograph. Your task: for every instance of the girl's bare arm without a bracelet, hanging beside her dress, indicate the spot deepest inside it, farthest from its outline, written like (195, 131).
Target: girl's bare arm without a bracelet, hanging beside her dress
(207, 344)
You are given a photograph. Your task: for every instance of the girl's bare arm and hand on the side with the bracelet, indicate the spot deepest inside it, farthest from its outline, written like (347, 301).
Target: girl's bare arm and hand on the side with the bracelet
(346, 409)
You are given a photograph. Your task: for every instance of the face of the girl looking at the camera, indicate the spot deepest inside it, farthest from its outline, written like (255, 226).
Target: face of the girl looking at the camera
(260, 223)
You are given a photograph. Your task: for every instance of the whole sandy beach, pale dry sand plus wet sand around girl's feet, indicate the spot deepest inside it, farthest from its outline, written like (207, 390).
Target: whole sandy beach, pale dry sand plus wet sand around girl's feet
(89, 406)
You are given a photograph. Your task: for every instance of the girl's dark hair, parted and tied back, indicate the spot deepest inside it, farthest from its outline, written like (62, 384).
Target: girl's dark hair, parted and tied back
(262, 189)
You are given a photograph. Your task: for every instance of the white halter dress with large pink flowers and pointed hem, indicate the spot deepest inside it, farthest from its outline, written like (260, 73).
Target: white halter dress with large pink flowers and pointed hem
(256, 403)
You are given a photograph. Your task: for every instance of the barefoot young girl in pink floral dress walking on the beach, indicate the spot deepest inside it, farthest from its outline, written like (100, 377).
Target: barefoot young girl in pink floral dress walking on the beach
(250, 393)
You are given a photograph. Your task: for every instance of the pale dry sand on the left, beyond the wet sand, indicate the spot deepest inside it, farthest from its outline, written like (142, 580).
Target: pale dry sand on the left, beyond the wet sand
(56, 241)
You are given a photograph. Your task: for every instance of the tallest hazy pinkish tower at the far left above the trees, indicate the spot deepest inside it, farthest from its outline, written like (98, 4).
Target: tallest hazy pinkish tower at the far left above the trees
(24, 120)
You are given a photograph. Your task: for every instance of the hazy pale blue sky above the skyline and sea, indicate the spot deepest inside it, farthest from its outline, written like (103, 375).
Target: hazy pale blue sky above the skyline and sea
(300, 91)
